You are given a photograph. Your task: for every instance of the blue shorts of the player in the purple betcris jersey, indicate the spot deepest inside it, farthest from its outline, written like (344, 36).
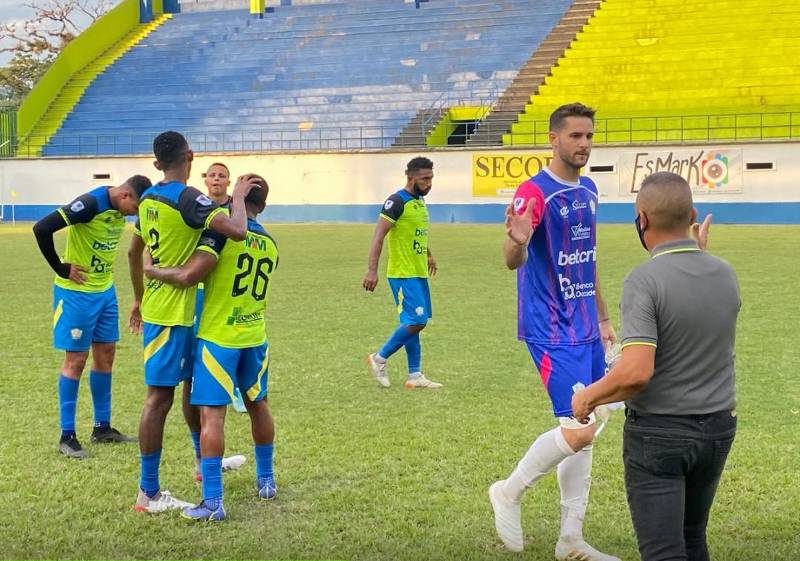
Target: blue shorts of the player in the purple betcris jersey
(567, 368)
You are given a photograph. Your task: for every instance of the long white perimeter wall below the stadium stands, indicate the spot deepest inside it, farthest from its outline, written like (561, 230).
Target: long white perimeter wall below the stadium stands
(366, 178)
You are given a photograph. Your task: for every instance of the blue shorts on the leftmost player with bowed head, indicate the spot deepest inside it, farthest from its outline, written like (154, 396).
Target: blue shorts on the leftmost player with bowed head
(83, 318)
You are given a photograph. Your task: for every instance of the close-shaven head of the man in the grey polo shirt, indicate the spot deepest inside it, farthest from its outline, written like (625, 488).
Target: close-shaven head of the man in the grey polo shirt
(666, 199)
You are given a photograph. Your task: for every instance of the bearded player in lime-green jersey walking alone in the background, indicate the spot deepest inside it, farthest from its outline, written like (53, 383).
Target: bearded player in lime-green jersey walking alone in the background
(404, 218)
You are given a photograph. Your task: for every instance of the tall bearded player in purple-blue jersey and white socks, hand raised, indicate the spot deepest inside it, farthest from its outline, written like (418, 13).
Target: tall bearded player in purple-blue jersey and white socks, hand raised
(551, 236)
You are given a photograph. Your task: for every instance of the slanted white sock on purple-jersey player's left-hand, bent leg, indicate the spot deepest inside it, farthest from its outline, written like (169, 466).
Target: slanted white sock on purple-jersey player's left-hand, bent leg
(545, 453)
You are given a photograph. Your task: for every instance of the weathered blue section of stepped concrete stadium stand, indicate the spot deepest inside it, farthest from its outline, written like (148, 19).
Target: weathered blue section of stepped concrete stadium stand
(326, 76)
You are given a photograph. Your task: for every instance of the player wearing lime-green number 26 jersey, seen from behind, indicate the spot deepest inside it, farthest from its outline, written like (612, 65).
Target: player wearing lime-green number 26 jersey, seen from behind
(232, 348)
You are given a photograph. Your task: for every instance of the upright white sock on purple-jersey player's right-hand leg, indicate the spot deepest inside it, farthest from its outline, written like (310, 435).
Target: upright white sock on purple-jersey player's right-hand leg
(575, 478)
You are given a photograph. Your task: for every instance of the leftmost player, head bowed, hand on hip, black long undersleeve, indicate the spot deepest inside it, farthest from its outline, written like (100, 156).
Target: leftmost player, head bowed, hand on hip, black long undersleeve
(86, 314)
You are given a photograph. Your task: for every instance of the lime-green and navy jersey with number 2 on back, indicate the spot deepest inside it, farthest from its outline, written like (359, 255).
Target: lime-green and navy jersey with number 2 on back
(171, 218)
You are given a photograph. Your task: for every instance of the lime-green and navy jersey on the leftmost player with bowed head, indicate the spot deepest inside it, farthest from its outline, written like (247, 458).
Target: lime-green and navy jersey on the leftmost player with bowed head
(92, 239)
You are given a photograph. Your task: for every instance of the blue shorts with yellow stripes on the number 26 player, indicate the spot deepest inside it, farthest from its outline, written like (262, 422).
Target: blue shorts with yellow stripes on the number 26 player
(218, 370)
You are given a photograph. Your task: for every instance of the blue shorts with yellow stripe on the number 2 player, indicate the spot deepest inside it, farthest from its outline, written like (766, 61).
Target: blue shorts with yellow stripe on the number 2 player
(167, 354)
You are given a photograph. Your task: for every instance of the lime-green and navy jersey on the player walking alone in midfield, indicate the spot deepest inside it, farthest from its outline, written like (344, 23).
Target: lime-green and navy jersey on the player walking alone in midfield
(408, 239)
